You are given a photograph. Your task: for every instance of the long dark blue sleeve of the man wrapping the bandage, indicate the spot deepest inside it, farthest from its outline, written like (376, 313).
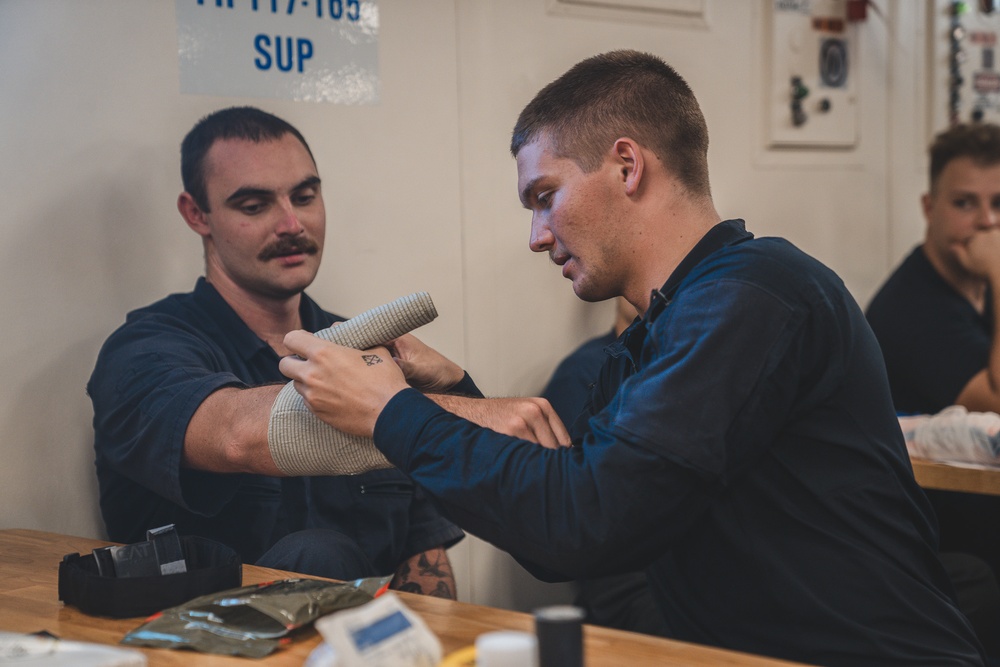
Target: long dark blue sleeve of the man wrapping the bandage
(650, 463)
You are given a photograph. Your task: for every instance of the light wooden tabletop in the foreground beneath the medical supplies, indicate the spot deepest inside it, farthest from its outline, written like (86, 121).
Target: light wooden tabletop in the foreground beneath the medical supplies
(29, 562)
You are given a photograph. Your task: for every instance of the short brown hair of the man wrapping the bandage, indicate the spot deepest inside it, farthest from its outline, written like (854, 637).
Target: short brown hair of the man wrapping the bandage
(614, 95)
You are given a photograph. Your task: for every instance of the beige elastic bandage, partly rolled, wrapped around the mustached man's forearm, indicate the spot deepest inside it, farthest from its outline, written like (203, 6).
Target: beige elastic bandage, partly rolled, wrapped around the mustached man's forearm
(300, 443)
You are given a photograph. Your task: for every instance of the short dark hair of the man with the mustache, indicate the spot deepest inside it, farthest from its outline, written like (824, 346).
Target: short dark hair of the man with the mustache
(248, 123)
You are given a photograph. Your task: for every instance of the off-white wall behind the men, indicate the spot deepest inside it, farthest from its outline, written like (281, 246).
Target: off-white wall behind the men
(420, 194)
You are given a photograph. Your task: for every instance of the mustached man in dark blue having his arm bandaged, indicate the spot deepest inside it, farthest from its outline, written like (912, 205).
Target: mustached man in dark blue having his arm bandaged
(182, 392)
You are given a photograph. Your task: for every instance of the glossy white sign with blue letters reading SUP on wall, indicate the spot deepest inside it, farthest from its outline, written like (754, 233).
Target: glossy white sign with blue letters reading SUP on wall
(305, 50)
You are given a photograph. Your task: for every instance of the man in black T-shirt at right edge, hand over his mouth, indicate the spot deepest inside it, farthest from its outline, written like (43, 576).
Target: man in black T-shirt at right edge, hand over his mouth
(935, 321)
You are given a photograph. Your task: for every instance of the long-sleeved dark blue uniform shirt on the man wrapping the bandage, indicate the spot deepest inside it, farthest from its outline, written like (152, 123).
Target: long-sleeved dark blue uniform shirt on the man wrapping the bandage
(743, 447)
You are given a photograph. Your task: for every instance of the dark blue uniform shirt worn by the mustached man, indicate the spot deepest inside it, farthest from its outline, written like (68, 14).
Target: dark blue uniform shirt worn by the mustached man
(151, 376)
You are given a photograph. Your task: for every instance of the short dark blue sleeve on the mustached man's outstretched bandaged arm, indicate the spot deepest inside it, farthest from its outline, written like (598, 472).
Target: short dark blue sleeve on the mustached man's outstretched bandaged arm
(150, 378)
